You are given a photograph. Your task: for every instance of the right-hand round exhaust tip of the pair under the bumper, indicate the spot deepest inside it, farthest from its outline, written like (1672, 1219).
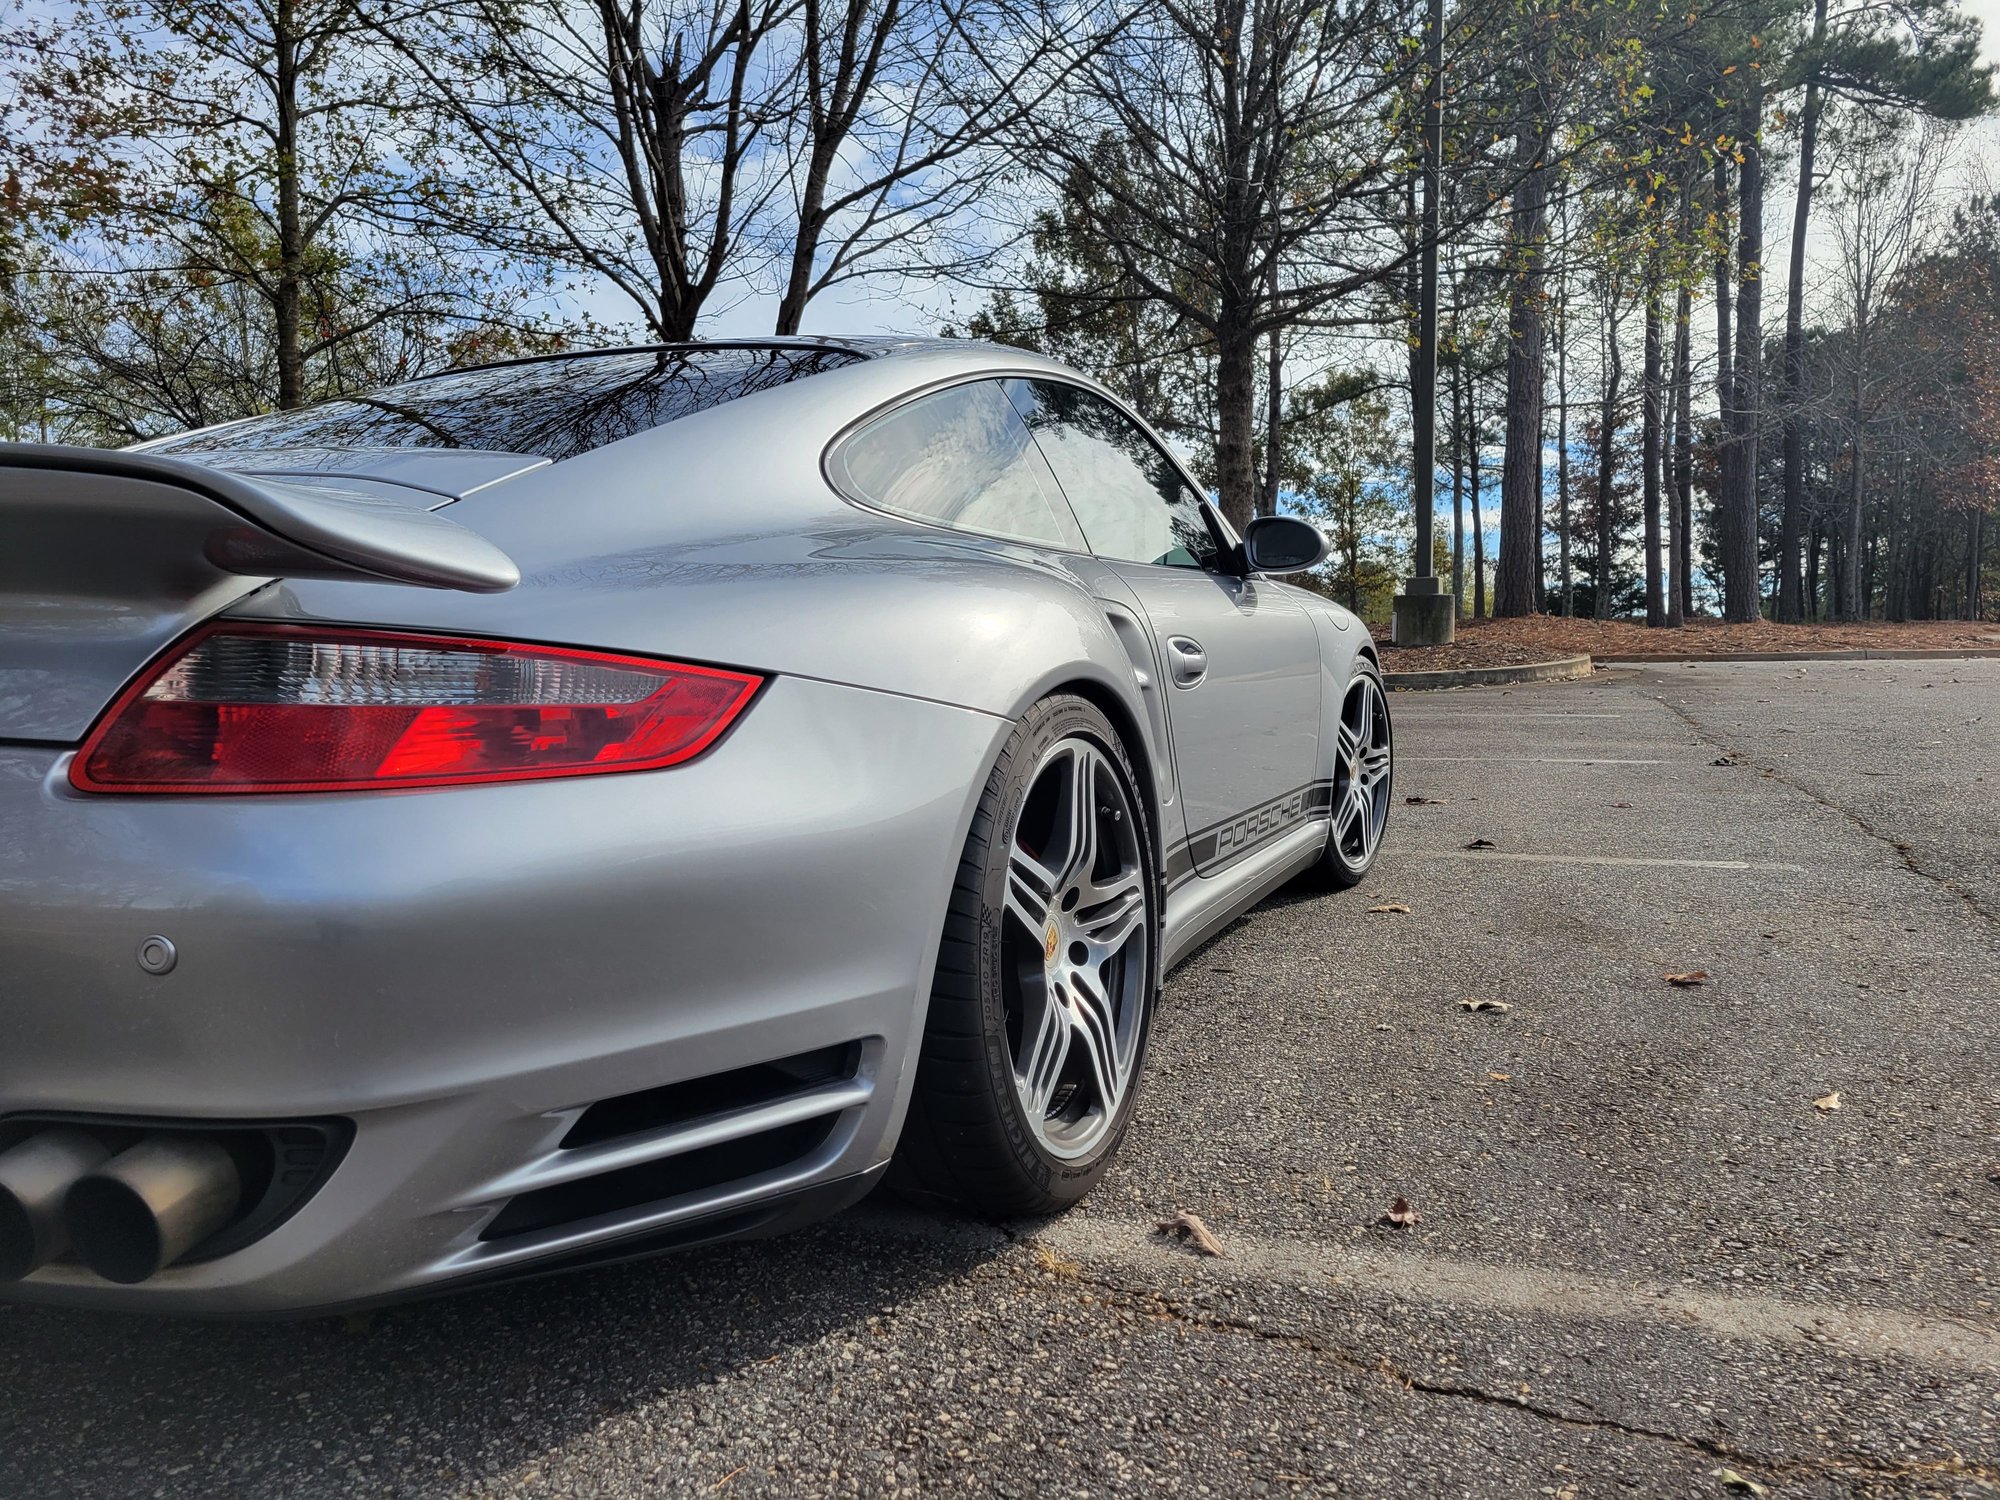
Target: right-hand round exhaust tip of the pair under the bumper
(147, 1209)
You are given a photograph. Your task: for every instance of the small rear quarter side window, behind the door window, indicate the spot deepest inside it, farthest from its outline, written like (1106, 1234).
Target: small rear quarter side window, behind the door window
(963, 459)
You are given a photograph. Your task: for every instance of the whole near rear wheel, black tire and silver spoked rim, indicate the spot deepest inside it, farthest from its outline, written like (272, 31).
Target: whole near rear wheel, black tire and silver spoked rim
(1047, 977)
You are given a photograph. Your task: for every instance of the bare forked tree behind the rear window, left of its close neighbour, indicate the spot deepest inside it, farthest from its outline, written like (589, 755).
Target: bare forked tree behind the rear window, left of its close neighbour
(631, 141)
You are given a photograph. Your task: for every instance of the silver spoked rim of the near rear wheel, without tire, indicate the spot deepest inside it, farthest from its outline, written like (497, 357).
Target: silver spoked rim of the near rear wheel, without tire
(1077, 947)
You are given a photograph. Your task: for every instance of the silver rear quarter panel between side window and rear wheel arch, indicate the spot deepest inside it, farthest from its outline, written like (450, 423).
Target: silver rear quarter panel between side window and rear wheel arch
(719, 539)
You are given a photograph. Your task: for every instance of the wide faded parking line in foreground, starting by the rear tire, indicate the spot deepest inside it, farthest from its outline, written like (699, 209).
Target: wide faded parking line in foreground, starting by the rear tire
(1537, 1291)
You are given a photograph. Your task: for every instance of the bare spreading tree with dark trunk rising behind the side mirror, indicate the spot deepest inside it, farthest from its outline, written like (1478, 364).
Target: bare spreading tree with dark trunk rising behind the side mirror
(1239, 163)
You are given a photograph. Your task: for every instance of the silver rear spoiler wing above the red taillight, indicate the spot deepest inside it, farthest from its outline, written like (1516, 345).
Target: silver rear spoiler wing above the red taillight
(257, 527)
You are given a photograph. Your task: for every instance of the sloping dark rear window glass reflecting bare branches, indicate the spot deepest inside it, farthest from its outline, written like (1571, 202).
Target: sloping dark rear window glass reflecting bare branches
(555, 409)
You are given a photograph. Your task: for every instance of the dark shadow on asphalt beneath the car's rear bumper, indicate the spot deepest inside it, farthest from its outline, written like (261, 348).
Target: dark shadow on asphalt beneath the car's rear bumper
(439, 1395)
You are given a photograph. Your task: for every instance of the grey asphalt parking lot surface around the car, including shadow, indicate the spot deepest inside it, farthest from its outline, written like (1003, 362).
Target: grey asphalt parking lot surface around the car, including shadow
(1647, 1259)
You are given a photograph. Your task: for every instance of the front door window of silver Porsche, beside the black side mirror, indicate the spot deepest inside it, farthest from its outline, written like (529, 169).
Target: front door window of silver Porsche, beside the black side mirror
(1125, 493)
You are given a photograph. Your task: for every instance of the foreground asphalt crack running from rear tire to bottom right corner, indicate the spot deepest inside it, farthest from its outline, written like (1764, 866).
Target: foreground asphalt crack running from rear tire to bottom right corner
(1427, 1387)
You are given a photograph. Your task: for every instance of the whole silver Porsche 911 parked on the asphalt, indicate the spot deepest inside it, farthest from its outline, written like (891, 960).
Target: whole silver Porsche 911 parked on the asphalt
(595, 805)
